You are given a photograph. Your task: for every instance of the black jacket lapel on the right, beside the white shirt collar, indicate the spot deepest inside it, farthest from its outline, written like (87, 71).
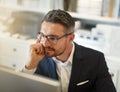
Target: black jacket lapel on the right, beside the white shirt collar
(77, 68)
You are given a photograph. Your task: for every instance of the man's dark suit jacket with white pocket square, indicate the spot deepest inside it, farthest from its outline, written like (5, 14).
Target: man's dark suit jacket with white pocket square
(89, 71)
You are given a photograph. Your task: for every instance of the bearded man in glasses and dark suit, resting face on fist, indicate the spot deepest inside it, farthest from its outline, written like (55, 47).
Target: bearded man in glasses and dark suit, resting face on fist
(55, 55)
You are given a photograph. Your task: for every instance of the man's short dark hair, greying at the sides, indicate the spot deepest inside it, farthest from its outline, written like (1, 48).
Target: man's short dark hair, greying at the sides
(61, 17)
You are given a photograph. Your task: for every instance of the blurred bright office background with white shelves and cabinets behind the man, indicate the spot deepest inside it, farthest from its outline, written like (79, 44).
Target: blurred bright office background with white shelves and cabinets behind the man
(97, 26)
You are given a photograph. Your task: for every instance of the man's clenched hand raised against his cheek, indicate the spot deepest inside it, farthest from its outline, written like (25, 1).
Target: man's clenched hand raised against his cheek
(36, 54)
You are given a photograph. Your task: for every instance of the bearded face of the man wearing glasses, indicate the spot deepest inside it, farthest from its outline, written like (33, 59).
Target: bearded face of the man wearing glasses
(49, 29)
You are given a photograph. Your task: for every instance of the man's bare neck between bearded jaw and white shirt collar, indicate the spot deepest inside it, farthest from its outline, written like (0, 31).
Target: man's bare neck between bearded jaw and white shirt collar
(63, 58)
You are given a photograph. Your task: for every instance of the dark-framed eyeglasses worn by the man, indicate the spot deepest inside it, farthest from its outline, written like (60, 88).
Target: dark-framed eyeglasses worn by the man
(53, 39)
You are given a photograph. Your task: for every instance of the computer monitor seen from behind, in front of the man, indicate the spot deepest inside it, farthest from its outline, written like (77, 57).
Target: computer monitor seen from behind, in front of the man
(15, 81)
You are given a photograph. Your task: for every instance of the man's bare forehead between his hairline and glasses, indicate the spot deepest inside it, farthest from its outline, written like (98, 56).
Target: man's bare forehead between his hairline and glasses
(49, 28)
